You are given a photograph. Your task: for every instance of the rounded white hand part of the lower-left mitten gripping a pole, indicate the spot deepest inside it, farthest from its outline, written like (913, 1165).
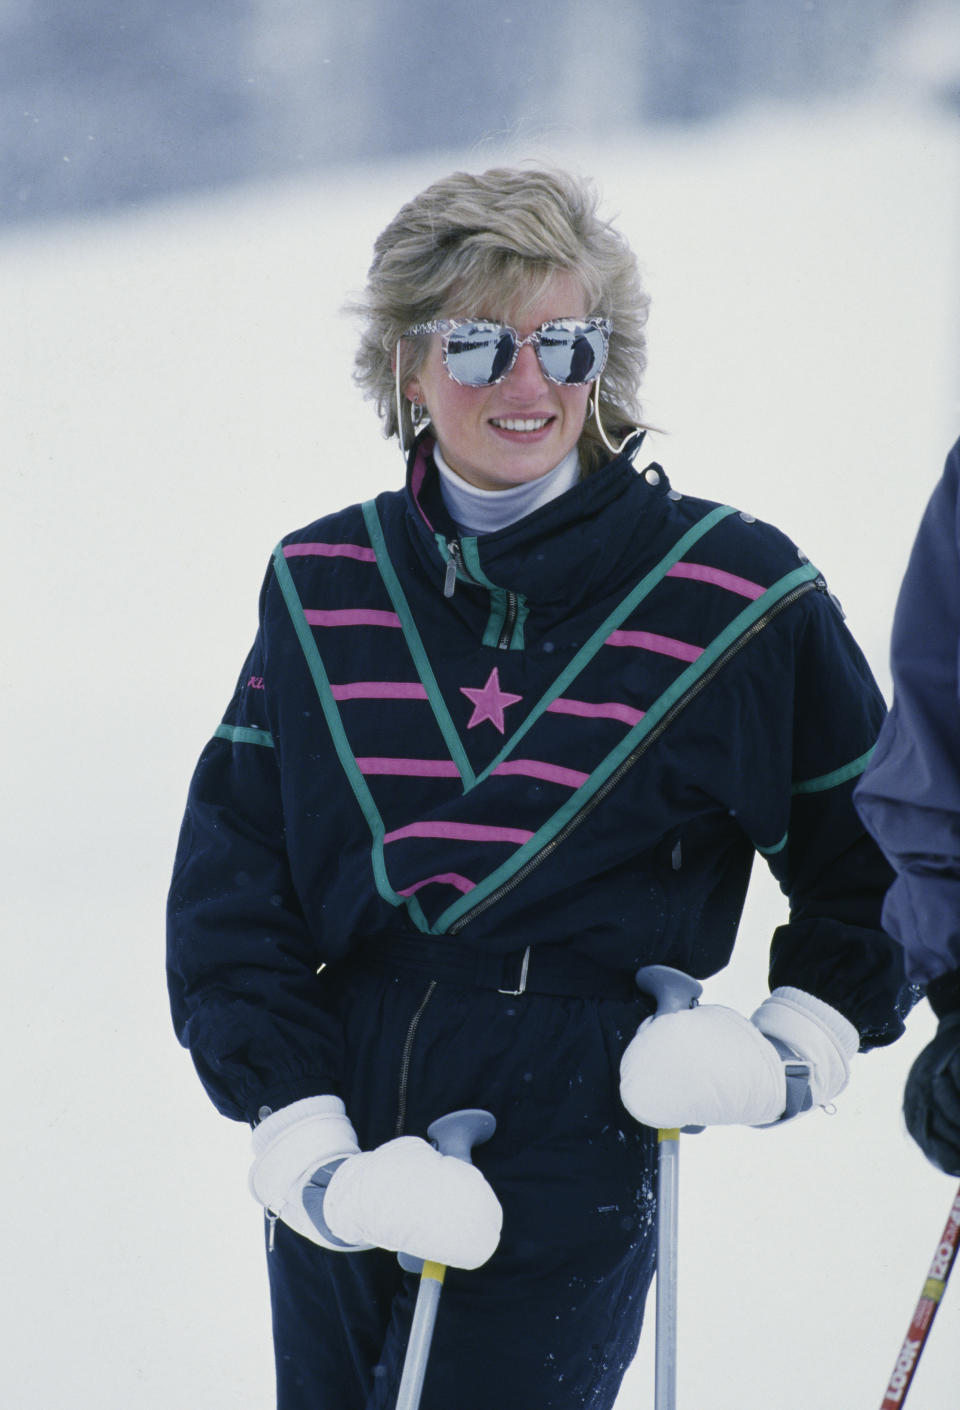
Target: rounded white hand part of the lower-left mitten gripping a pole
(408, 1196)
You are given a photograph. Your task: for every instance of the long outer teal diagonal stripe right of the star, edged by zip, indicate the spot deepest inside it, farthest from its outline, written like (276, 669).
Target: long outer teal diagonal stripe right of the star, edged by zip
(684, 682)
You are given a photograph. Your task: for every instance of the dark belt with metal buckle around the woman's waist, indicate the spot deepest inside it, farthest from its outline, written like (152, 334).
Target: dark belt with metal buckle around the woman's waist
(541, 969)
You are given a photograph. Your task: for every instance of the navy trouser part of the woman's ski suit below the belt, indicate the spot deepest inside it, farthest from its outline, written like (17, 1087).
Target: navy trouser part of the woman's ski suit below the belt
(553, 1320)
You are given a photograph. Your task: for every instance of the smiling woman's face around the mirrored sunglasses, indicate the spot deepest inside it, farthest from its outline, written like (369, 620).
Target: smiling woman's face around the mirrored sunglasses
(508, 435)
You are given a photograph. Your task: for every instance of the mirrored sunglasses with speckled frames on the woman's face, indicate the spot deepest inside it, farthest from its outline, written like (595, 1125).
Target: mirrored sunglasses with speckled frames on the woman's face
(480, 353)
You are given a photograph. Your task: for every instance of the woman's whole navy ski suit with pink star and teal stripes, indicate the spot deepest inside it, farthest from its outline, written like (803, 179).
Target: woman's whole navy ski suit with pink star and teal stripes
(466, 786)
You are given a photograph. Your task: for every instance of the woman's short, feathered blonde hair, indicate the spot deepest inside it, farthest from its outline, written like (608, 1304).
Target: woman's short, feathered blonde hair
(501, 235)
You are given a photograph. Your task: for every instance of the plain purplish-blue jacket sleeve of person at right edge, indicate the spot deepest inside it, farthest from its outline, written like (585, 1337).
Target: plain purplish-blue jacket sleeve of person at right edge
(910, 797)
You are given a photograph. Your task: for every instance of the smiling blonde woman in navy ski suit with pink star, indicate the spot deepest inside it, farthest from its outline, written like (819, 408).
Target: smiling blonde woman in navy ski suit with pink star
(504, 737)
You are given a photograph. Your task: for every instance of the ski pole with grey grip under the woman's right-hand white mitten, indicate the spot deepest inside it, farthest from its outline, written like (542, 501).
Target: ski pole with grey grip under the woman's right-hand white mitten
(673, 992)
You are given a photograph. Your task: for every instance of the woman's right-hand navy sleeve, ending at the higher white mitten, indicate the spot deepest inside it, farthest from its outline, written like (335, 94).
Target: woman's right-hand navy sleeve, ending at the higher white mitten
(800, 816)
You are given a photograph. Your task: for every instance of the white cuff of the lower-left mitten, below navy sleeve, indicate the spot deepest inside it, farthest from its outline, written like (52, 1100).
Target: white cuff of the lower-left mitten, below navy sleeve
(290, 1147)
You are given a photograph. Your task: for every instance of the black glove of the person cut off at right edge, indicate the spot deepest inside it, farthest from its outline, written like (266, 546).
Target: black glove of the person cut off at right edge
(933, 1093)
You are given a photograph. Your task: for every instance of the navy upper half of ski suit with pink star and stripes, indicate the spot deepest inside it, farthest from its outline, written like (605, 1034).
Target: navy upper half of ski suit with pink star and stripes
(579, 731)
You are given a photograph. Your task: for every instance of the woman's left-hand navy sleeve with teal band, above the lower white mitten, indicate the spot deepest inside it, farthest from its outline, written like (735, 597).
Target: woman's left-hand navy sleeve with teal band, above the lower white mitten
(242, 965)
